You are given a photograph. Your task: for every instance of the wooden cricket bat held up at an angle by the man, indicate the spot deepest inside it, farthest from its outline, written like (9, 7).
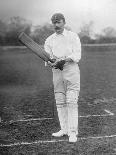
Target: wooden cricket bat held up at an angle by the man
(34, 47)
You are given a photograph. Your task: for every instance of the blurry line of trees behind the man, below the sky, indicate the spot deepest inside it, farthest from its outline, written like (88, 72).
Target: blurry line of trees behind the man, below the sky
(10, 30)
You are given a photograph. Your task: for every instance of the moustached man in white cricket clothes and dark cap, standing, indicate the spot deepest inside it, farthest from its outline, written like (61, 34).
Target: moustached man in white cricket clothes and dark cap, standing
(65, 47)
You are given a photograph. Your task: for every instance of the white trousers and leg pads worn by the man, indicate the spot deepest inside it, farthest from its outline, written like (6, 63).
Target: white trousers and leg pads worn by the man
(66, 89)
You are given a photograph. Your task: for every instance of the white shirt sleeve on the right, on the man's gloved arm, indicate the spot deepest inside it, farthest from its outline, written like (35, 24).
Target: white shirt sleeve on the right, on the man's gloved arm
(76, 48)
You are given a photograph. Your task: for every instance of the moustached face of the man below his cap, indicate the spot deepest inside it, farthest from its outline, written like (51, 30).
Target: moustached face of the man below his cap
(59, 26)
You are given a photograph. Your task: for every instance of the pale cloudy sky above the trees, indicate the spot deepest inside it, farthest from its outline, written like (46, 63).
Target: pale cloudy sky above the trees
(76, 12)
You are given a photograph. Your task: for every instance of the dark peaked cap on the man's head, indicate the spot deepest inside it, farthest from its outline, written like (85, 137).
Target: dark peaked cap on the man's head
(57, 17)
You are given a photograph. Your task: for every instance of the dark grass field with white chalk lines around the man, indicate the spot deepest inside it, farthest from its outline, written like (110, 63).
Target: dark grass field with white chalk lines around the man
(28, 111)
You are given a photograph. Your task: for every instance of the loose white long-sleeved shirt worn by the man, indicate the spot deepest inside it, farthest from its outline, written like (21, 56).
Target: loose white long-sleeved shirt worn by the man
(65, 45)
